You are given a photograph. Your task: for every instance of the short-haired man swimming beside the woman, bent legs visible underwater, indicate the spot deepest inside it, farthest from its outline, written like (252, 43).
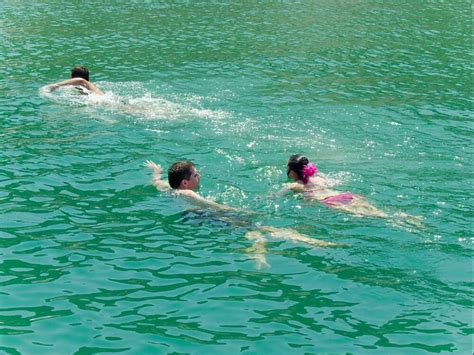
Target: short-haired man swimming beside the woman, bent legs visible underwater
(183, 180)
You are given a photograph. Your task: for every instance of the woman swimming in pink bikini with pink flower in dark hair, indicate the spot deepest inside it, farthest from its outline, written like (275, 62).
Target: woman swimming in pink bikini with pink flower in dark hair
(316, 186)
